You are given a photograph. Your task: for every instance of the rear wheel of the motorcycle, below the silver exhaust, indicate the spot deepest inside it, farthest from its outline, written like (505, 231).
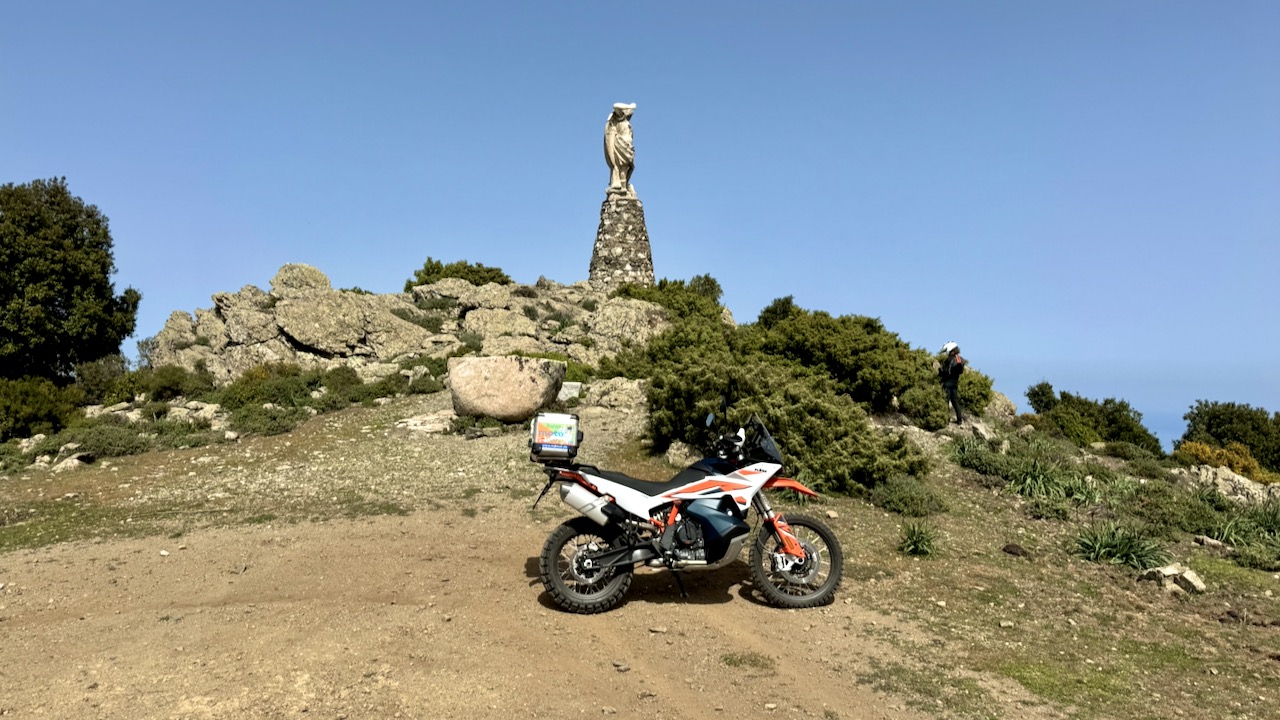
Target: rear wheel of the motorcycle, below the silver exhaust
(569, 576)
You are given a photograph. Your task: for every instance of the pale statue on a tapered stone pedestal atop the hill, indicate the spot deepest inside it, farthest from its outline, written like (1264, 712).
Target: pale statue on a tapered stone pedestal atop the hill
(623, 254)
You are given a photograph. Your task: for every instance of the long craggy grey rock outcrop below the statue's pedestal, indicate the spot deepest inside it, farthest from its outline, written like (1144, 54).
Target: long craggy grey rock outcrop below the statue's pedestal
(304, 321)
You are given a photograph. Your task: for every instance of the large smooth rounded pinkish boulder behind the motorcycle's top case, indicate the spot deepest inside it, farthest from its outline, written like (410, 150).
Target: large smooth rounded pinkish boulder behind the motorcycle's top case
(506, 389)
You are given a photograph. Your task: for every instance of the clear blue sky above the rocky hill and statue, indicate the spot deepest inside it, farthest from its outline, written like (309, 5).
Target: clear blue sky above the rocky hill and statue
(1085, 193)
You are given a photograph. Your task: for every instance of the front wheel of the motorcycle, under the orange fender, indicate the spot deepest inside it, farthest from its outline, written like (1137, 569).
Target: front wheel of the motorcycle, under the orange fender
(788, 582)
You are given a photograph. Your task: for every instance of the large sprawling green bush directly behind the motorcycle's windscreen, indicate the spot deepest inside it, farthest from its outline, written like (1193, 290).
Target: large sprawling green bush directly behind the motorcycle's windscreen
(702, 362)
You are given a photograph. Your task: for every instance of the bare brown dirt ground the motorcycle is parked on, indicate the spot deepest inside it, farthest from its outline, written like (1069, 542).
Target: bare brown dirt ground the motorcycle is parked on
(424, 617)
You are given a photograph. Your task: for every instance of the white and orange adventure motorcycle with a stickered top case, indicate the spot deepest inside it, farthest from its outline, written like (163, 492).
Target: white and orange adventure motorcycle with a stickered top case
(696, 521)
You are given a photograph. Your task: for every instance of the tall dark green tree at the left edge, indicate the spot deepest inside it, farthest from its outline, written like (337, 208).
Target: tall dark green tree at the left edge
(58, 307)
